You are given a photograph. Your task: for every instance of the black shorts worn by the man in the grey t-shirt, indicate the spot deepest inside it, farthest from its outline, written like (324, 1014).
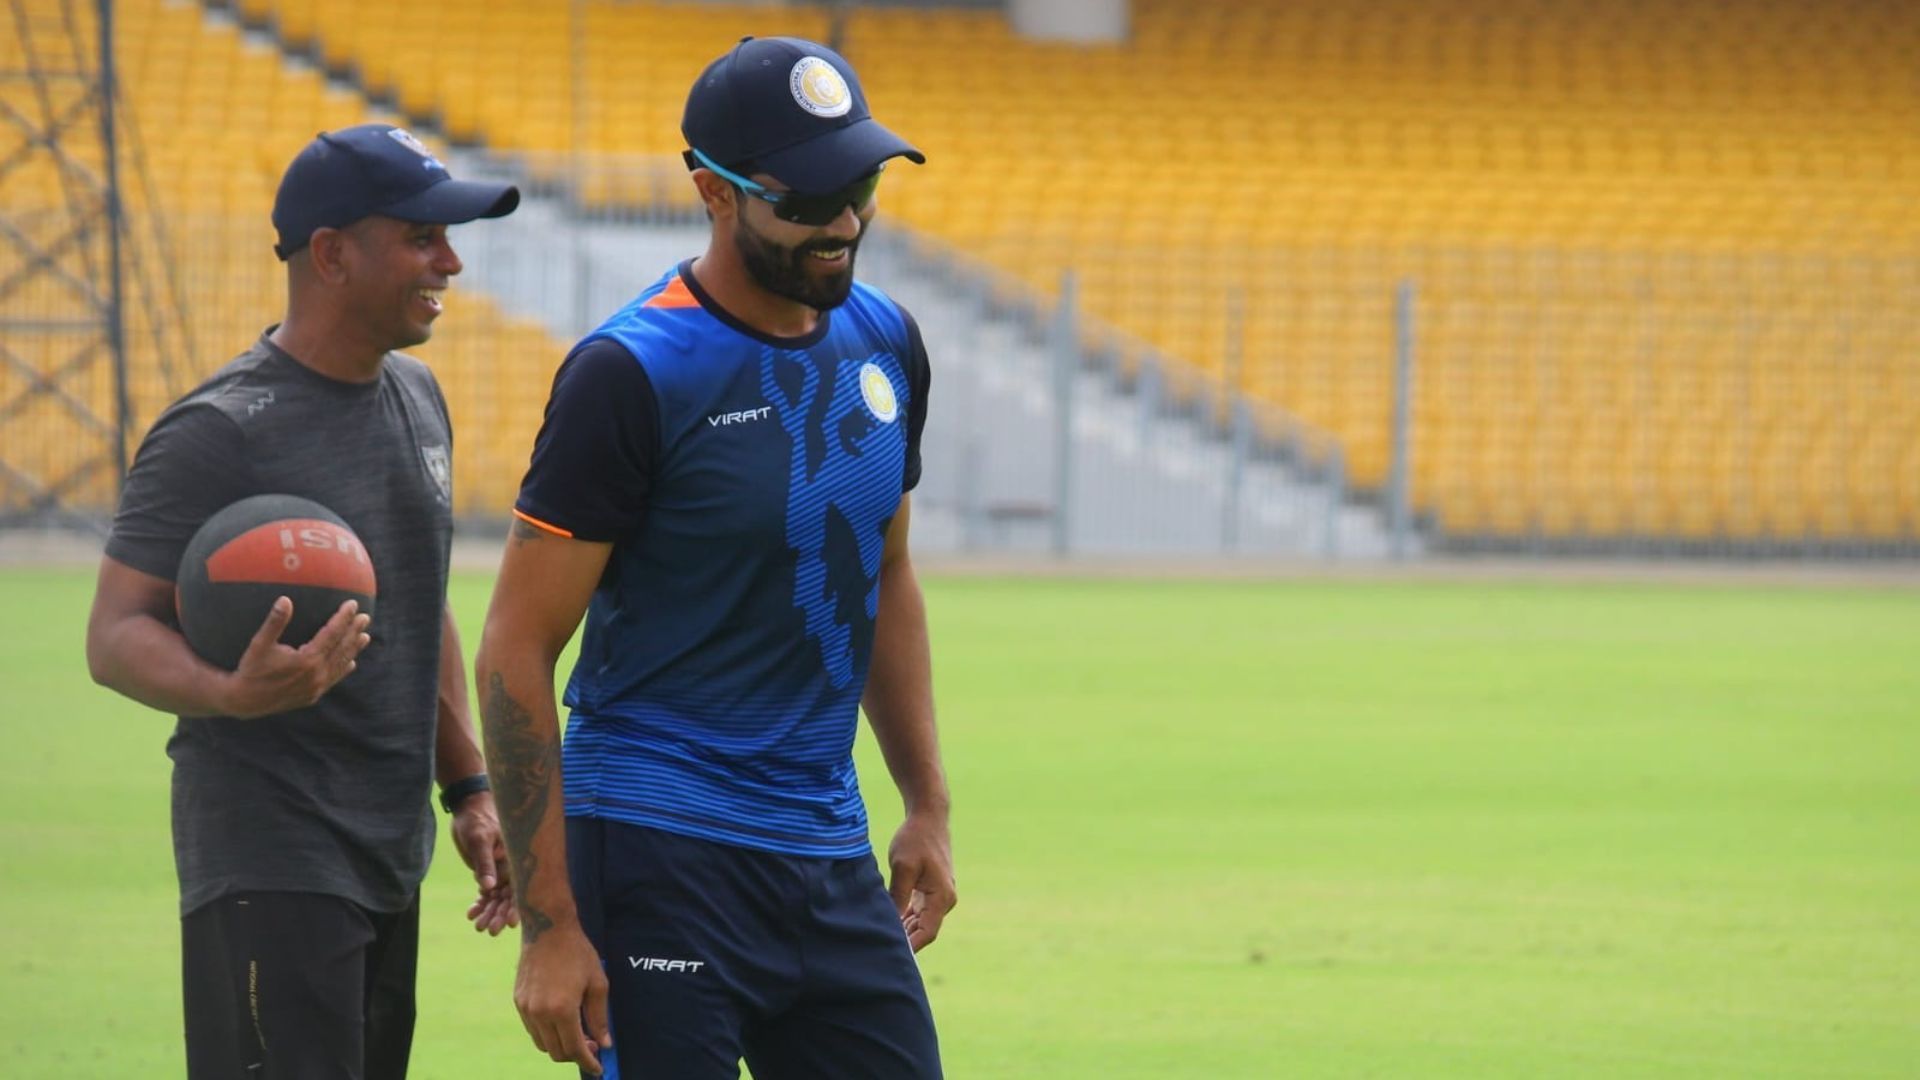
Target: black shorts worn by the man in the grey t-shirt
(297, 985)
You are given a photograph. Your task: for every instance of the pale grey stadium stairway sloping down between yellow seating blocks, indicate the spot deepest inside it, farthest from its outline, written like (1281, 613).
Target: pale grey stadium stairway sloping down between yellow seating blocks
(1147, 479)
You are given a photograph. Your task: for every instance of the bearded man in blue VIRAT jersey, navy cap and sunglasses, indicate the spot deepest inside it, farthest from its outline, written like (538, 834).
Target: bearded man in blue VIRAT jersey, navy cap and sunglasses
(721, 493)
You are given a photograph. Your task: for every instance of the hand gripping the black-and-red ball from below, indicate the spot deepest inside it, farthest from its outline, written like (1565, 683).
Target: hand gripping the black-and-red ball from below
(276, 677)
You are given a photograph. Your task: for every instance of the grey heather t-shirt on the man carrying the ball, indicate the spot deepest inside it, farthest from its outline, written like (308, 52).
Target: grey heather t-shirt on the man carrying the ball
(331, 798)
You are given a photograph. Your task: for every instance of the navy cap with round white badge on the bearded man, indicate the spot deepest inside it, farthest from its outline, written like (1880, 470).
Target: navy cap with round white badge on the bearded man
(796, 110)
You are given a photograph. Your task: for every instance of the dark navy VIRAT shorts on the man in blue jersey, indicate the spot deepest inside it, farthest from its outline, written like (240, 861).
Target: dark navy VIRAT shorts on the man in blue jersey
(715, 954)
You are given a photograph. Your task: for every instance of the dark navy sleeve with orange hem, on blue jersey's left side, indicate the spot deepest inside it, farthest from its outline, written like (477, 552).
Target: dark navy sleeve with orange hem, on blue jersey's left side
(598, 447)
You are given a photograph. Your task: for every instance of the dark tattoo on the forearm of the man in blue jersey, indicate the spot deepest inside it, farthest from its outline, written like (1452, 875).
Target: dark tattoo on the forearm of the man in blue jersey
(523, 764)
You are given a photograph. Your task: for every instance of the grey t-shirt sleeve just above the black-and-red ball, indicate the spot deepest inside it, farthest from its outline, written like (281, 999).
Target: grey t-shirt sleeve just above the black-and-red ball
(189, 466)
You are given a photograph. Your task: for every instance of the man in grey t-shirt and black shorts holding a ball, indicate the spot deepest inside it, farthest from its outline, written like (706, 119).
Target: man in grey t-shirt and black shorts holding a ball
(300, 781)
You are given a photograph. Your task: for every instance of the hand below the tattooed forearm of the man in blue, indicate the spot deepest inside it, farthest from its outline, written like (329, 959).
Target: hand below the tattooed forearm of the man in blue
(562, 994)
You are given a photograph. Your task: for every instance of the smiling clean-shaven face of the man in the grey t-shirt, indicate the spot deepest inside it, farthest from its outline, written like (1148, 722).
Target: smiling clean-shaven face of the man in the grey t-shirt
(398, 278)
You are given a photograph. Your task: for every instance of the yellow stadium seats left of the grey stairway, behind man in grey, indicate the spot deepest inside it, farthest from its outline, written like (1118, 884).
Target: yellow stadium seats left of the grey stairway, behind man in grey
(210, 124)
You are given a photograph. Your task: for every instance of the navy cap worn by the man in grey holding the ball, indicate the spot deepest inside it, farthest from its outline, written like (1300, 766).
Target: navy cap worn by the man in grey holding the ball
(375, 168)
